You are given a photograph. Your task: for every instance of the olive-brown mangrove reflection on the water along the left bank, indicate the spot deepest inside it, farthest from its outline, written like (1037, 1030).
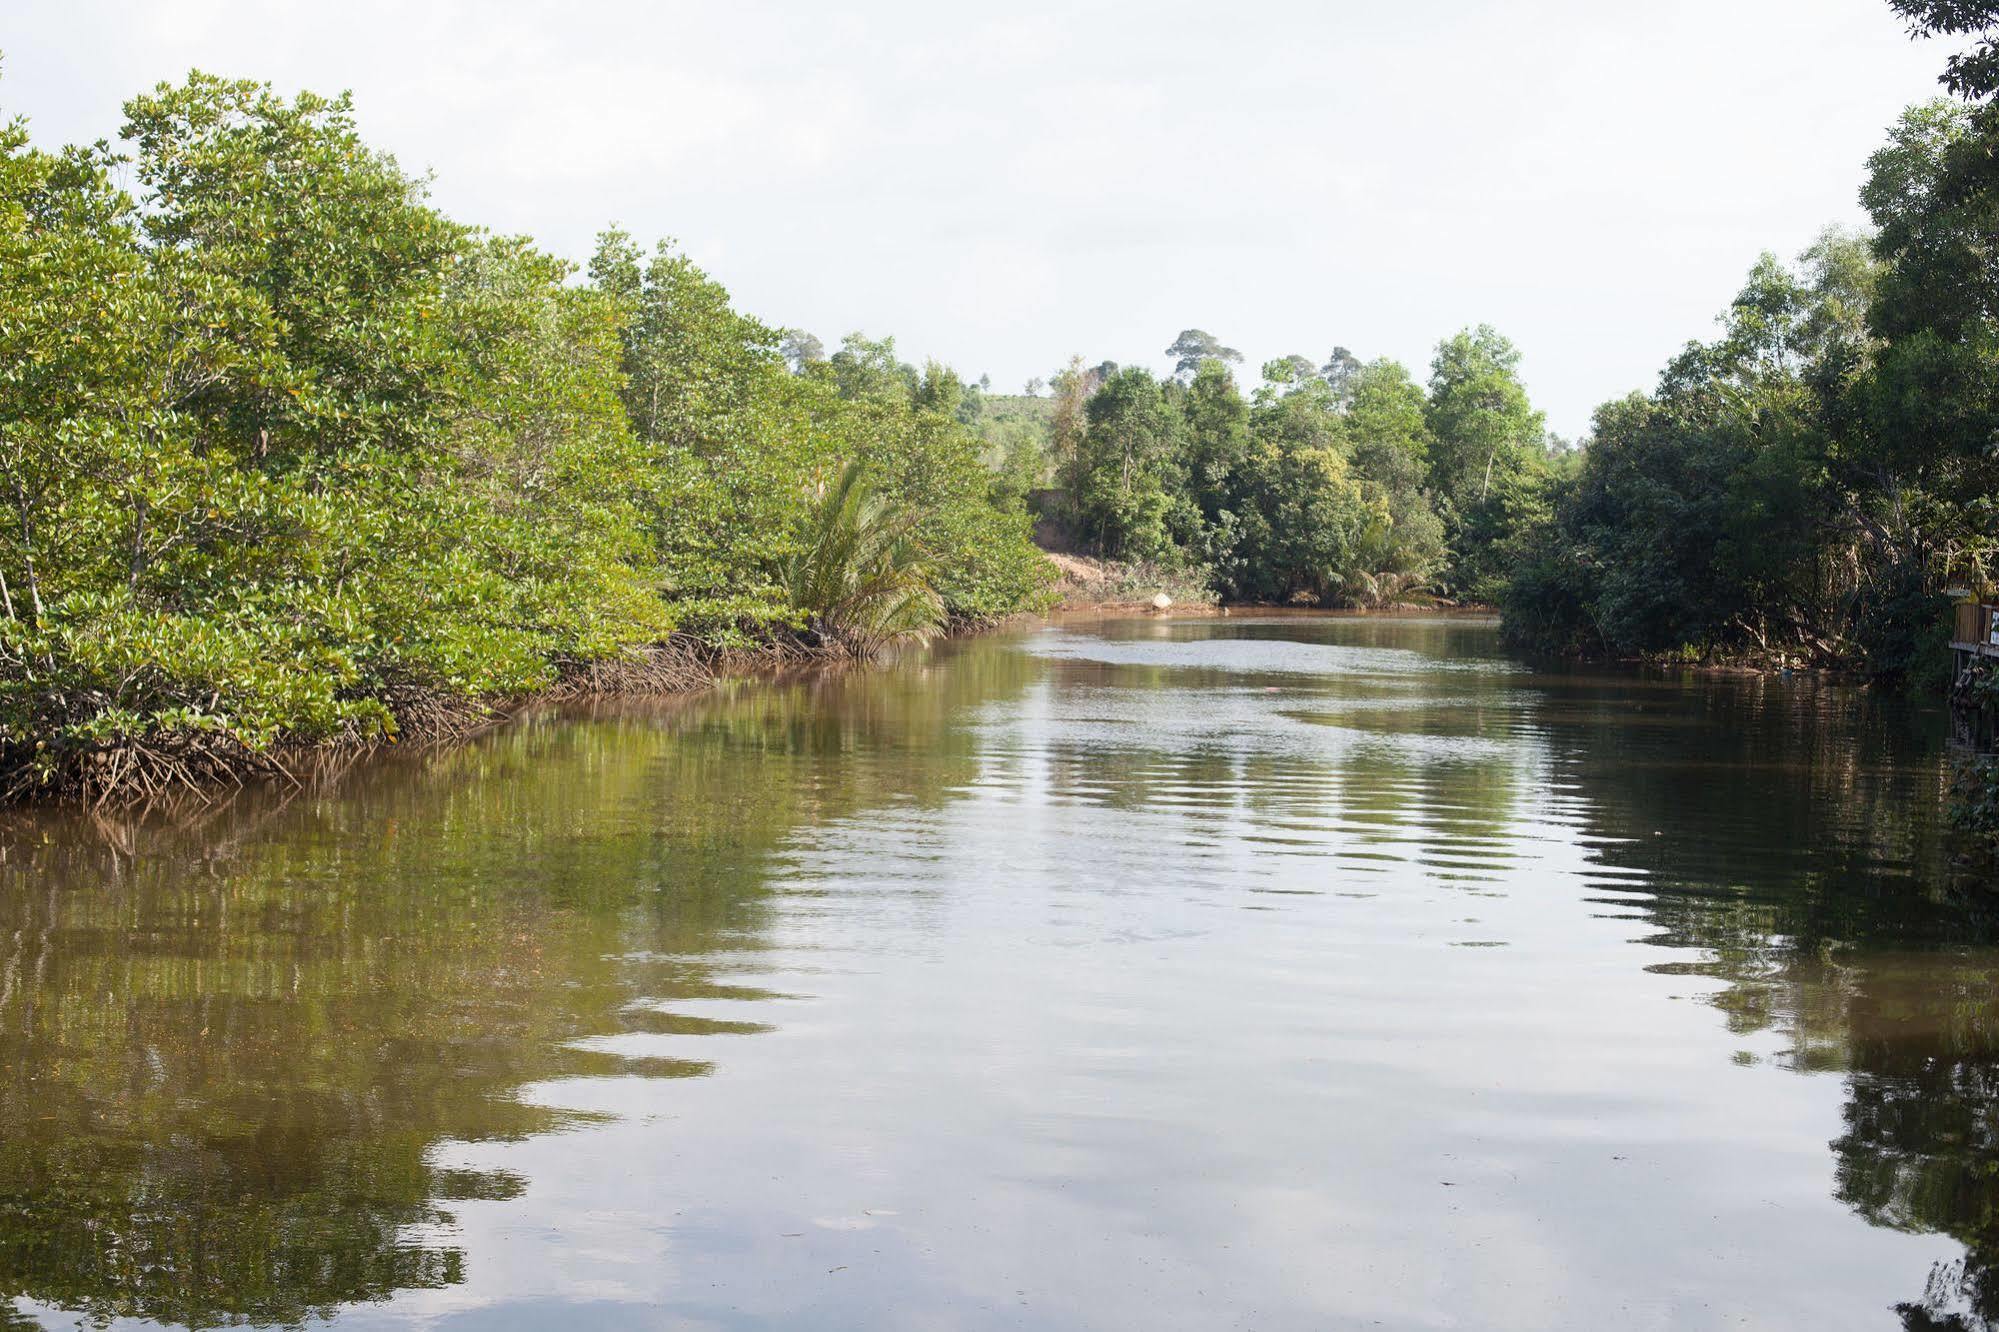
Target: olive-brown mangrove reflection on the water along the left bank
(229, 1059)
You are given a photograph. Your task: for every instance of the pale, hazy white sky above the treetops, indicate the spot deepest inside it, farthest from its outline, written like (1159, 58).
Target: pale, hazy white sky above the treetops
(1004, 187)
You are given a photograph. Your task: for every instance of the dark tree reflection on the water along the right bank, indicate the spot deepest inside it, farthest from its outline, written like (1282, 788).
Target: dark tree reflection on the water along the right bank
(1836, 915)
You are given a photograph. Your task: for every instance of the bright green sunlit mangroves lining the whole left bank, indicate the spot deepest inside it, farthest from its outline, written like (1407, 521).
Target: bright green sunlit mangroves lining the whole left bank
(291, 457)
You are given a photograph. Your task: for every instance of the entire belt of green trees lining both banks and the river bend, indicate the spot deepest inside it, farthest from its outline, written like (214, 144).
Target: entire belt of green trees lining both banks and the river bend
(289, 457)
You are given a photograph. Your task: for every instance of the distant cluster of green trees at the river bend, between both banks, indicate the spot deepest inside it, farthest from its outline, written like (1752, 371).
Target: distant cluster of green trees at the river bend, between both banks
(1338, 485)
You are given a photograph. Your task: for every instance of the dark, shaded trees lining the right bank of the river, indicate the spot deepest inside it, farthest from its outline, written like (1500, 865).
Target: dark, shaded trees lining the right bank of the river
(1812, 483)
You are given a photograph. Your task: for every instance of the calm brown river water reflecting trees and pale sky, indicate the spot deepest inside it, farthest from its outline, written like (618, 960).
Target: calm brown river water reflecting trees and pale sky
(1252, 973)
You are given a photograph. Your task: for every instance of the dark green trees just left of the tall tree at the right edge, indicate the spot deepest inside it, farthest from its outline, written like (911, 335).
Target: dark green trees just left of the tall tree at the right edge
(1706, 515)
